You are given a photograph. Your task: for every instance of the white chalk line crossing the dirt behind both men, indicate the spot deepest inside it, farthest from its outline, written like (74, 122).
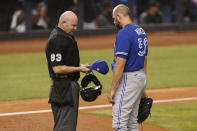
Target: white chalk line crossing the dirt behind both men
(97, 106)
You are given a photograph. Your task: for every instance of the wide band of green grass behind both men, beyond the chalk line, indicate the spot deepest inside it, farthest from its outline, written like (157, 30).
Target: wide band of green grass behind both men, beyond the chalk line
(24, 76)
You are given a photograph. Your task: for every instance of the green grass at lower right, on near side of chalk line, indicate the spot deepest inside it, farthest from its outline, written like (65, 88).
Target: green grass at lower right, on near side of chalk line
(174, 117)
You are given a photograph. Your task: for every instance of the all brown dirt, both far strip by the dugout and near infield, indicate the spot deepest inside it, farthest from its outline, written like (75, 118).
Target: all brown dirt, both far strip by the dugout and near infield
(86, 122)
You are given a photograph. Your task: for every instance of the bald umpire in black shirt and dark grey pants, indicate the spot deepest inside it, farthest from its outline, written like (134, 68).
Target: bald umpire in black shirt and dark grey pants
(63, 64)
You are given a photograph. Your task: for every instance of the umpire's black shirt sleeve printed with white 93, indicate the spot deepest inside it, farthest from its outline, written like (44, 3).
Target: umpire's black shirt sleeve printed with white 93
(59, 50)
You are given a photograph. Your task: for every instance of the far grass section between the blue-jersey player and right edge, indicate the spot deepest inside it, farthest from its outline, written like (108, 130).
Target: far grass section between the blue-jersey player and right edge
(173, 66)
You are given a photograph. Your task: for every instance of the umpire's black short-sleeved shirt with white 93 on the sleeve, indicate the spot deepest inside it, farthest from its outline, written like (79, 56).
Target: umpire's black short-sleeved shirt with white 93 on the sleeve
(62, 49)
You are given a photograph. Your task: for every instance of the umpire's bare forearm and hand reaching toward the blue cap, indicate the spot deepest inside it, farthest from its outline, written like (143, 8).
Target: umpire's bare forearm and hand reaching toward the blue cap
(63, 69)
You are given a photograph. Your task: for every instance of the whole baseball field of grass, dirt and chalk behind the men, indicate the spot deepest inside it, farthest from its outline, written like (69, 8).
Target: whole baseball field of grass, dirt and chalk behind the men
(172, 83)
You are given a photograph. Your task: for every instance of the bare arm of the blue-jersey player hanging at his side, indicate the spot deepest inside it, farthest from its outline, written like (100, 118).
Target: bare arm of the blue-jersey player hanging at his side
(117, 74)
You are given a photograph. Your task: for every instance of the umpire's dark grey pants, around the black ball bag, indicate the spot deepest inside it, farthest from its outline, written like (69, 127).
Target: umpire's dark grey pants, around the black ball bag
(65, 116)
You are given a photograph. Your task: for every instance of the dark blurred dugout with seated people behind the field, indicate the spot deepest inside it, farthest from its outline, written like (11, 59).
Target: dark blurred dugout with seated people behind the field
(36, 18)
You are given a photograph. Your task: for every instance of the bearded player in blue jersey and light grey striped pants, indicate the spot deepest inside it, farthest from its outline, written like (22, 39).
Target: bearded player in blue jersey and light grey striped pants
(129, 78)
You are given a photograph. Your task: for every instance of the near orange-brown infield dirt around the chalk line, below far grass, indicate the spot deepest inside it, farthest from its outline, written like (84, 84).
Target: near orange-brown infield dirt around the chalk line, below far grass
(86, 122)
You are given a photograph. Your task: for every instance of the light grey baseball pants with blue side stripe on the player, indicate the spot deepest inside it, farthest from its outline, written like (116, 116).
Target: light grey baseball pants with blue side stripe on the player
(127, 98)
